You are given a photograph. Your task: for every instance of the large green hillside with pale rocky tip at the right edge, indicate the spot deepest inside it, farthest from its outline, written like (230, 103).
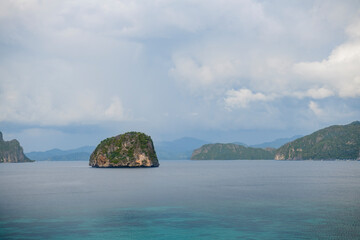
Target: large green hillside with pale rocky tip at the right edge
(334, 142)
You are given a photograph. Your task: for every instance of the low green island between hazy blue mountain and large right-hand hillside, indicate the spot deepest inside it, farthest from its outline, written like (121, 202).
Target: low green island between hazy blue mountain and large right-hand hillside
(231, 151)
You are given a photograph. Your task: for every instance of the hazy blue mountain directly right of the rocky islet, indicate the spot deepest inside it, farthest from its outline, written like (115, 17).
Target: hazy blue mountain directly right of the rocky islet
(179, 149)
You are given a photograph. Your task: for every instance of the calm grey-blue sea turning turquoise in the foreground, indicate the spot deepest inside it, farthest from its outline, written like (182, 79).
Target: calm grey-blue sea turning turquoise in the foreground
(255, 199)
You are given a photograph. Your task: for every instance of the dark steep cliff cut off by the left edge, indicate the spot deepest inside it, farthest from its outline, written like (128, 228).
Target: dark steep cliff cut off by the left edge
(11, 151)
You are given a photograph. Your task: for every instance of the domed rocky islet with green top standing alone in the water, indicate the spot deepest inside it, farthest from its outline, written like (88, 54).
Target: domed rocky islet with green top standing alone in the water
(131, 149)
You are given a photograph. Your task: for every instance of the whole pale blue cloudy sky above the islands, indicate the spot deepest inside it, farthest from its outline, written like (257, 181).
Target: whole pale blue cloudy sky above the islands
(75, 72)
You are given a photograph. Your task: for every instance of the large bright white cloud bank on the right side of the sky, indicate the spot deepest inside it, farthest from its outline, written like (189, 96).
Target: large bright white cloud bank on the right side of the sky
(267, 76)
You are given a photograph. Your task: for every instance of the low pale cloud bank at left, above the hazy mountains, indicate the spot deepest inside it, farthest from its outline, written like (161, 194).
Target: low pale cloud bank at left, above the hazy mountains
(44, 109)
